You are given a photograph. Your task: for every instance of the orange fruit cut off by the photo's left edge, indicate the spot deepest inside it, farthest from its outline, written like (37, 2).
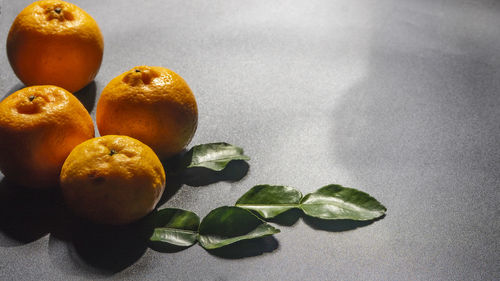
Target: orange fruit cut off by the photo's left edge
(39, 126)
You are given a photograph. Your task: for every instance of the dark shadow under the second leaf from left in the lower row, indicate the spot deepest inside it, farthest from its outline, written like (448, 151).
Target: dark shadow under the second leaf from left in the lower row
(247, 248)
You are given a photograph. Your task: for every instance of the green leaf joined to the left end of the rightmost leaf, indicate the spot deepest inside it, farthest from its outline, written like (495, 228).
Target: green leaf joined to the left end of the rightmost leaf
(270, 200)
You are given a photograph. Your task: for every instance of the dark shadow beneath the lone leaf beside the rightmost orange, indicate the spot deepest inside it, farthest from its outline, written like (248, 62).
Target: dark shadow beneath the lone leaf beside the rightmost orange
(197, 176)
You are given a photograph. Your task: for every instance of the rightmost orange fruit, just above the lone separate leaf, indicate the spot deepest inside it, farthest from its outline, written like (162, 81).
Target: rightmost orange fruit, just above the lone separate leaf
(152, 104)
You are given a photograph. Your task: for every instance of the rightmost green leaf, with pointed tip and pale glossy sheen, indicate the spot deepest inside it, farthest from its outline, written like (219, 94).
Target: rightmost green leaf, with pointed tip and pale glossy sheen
(338, 202)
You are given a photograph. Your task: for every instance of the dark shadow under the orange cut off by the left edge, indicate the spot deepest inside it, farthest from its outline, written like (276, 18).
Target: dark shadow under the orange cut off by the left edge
(26, 214)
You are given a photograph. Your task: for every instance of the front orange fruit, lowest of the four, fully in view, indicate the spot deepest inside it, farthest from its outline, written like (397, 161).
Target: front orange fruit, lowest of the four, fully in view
(112, 180)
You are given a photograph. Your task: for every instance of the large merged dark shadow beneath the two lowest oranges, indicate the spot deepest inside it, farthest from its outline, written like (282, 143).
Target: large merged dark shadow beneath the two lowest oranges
(27, 215)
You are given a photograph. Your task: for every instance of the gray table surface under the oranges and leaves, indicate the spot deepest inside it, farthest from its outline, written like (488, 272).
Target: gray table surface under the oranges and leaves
(400, 99)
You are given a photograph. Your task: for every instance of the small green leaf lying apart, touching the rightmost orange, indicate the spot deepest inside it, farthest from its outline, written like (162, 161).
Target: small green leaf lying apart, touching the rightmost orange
(214, 156)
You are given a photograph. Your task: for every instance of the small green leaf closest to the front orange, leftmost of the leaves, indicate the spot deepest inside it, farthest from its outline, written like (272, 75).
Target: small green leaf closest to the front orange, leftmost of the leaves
(175, 226)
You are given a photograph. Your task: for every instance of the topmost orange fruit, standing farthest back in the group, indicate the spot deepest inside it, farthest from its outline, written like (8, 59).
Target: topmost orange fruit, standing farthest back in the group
(55, 43)
